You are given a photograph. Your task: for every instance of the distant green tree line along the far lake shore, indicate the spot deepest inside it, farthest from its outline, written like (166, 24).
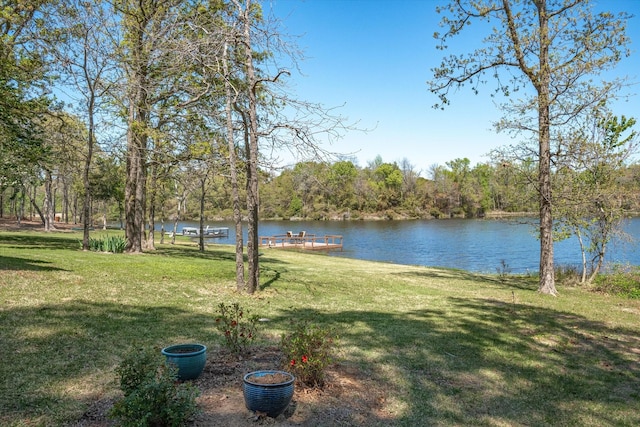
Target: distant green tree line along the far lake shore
(340, 190)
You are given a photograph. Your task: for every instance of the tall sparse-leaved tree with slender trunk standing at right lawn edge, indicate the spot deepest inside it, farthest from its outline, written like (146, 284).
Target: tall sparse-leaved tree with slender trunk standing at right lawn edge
(547, 49)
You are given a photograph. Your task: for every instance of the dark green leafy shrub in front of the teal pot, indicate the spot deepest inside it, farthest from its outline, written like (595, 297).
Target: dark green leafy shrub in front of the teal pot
(152, 394)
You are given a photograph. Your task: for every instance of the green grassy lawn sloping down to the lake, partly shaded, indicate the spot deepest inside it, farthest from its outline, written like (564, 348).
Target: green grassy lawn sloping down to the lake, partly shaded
(448, 347)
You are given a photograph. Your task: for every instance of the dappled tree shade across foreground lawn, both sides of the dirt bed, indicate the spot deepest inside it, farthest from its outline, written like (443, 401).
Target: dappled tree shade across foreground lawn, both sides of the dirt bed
(474, 362)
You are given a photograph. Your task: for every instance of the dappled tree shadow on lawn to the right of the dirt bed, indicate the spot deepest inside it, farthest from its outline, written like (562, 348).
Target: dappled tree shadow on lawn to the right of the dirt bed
(485, 362)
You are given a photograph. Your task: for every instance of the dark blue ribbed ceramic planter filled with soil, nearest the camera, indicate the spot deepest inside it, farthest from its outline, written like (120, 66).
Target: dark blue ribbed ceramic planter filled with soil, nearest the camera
(271, 399)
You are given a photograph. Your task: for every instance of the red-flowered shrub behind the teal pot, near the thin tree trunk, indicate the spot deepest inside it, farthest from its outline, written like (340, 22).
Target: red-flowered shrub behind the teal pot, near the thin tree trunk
(237, 326)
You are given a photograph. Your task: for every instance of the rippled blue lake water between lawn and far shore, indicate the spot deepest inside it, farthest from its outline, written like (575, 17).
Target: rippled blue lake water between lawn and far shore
(479, 245)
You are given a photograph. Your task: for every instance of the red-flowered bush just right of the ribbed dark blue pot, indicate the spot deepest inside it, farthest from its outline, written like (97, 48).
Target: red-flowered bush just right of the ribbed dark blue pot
(307, 351)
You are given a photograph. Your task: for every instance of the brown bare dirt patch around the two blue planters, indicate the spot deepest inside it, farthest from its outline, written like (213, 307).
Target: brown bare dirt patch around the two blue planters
(349, 398)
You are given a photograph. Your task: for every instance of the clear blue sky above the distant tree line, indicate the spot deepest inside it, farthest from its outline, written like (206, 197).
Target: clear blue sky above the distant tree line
(375, 58)
